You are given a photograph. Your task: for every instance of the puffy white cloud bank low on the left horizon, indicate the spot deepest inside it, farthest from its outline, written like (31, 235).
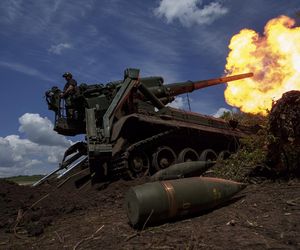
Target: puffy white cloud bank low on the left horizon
(40, 152)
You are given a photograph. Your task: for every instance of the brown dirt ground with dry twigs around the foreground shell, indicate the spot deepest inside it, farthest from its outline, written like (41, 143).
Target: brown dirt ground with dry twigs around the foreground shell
(266, 216)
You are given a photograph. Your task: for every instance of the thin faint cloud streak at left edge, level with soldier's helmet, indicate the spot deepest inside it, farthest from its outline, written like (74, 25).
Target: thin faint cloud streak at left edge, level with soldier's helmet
(27, 70)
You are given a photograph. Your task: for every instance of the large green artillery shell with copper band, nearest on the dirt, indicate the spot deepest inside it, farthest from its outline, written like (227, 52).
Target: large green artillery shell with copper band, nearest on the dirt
(158, 201)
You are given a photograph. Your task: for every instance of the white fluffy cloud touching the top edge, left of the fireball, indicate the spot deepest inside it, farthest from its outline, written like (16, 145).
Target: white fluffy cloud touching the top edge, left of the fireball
(190, 12)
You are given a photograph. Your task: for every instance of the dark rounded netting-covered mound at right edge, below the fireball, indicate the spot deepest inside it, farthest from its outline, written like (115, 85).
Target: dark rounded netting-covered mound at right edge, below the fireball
(284, 123)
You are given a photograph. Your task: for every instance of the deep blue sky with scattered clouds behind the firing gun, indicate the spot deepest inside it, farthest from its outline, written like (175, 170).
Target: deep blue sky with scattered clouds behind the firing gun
(96, 40)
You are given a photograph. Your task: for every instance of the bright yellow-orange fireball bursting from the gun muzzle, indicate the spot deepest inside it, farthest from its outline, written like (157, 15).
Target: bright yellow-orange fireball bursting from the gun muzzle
(274, 58)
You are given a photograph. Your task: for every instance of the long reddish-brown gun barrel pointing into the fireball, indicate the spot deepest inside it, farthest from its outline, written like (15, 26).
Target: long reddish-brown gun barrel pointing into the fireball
(189, 86)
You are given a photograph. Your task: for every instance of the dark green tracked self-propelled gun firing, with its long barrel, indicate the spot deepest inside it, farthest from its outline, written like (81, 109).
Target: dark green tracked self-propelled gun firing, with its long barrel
(131, 132)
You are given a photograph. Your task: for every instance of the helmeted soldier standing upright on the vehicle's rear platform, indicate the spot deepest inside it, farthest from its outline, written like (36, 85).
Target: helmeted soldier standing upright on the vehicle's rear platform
(68, 93)
